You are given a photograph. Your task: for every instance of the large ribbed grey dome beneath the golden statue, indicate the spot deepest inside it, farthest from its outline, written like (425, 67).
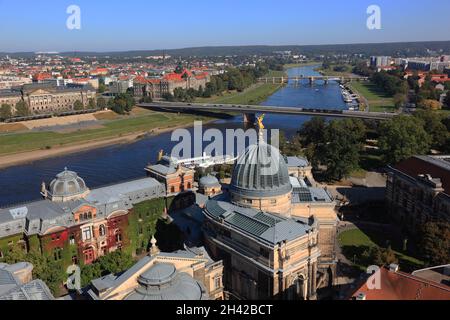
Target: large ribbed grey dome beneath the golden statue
(261, 171)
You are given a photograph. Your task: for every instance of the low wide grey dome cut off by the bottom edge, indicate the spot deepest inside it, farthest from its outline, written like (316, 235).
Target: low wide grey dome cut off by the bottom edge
(163, 282)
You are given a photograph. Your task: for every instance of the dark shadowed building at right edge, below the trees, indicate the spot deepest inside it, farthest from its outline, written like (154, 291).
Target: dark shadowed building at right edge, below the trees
(418, 190)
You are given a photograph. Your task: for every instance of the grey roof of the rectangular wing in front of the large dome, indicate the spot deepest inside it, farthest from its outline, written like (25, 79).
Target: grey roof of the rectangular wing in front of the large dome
(262, 226)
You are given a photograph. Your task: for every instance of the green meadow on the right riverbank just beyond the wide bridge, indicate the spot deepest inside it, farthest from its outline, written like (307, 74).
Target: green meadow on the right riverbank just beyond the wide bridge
(377, 99)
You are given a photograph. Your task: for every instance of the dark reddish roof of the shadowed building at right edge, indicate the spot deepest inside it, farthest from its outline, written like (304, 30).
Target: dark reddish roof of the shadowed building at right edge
(437, 167)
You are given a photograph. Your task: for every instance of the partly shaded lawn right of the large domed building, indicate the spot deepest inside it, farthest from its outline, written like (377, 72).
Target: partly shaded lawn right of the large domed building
(355, 242)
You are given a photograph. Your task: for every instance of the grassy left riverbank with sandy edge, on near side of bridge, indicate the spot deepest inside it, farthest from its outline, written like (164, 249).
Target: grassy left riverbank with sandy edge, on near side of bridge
(28, 147)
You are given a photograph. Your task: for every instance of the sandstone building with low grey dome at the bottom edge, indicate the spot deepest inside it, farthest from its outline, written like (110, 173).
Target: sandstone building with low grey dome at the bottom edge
(181, 275)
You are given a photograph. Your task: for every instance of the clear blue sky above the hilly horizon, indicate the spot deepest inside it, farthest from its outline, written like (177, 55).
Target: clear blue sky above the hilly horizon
(40, 25)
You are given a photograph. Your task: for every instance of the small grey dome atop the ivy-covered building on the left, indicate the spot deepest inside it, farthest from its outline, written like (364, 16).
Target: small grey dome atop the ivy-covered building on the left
(67, 184)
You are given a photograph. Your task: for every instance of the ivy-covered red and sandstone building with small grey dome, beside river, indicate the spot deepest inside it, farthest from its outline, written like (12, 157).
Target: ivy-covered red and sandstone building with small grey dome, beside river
(74, 224)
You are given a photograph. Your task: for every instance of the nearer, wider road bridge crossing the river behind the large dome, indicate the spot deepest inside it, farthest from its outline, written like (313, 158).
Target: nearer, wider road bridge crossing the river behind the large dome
(249, 111)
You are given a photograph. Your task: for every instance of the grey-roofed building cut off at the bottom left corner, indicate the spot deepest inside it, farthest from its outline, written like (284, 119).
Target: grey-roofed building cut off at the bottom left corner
(16, 283)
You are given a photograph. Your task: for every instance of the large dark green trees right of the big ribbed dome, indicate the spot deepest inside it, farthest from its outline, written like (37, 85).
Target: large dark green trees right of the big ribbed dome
(338, 145)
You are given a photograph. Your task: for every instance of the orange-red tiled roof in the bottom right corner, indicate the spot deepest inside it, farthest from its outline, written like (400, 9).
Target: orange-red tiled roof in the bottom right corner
(402, 286)
